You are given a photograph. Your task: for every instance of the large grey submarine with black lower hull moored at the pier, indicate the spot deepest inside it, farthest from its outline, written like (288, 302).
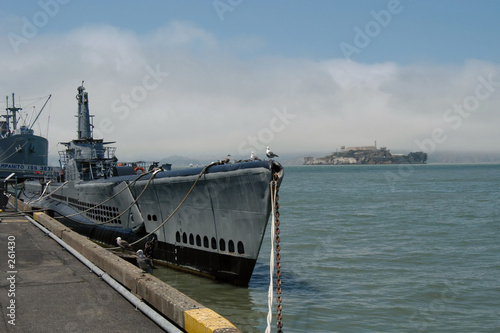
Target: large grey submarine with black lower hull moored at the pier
(209, 220)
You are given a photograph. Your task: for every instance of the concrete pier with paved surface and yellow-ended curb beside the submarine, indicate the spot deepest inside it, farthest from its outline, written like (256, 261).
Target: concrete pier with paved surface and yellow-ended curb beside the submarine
(53, 291)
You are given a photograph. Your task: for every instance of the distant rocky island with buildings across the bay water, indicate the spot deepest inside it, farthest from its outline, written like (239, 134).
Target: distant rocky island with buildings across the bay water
(366, 155)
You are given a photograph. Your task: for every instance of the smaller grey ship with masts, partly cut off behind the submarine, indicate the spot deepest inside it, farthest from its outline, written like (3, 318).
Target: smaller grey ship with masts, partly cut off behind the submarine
(21, 151)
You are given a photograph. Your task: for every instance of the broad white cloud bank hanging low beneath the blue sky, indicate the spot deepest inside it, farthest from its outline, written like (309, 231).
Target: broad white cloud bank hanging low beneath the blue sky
(214, 101)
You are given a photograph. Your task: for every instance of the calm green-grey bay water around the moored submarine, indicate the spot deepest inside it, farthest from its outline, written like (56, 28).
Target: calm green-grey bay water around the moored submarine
(385, 248)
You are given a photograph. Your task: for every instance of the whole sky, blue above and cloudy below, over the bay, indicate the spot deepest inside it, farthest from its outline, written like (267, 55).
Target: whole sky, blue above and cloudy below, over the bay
(197, 78)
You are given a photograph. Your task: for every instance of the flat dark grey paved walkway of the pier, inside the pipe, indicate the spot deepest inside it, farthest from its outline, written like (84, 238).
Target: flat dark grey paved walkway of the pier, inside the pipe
(46, 289)
